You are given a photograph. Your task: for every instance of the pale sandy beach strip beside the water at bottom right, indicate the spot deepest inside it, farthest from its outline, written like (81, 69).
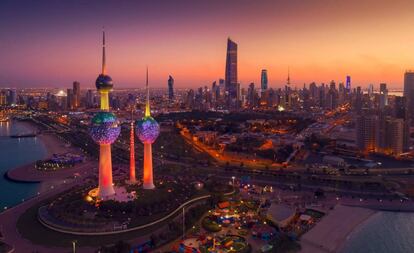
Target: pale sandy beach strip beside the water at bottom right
(330, 234)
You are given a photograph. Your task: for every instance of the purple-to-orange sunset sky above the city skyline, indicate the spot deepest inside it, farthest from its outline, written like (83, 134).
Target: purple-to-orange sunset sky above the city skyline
(52, 43)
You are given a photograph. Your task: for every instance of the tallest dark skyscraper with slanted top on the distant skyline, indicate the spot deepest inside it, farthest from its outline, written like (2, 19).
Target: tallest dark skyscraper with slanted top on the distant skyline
(231, 69)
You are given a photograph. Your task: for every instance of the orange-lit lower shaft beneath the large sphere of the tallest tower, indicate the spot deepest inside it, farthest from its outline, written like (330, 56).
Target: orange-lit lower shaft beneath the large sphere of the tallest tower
(106, 187)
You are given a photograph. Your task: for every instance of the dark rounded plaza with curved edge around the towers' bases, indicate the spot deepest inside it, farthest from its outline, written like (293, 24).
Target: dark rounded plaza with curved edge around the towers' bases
(78, 211)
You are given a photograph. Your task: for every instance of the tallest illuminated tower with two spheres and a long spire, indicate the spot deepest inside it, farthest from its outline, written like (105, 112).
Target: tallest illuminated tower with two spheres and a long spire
(104, 130)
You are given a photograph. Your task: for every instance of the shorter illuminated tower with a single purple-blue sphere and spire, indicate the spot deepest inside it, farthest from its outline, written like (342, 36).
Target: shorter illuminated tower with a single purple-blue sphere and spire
(147, 130)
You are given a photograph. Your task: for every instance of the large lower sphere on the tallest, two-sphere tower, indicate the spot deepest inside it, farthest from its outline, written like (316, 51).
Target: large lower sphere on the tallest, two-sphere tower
(104, 128)
